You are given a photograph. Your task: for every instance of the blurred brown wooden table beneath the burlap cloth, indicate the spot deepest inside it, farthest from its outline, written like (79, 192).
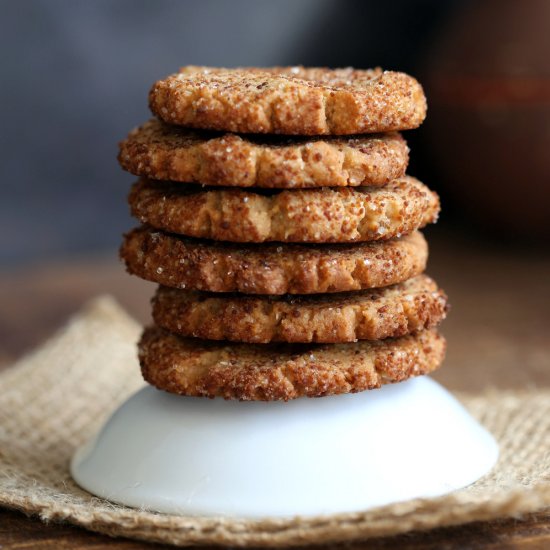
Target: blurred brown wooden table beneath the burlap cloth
(498, 332)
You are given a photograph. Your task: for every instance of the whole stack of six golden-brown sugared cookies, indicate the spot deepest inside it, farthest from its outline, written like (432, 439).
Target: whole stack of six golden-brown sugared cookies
(282, 230)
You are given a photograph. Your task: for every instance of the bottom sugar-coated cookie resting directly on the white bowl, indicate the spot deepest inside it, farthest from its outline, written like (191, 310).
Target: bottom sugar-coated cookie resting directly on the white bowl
(270, 372)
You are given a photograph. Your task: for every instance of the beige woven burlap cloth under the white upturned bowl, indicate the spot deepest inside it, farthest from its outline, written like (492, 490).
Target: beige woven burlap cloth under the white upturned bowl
(56, 398)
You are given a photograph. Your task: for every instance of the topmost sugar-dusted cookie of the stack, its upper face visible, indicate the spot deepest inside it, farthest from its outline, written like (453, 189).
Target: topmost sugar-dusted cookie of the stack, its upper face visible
(290, 100)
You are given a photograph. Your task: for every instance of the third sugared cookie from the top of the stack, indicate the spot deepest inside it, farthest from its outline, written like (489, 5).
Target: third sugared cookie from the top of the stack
(324, 215)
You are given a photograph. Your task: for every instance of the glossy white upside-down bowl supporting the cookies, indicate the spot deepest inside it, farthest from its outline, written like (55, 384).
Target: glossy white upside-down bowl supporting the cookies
(343, 453)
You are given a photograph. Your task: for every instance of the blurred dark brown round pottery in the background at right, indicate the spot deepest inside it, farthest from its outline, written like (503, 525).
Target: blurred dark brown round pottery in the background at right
(488, 86)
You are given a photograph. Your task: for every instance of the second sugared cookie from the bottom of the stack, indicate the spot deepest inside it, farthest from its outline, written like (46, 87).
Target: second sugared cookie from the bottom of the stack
(393, 311)
